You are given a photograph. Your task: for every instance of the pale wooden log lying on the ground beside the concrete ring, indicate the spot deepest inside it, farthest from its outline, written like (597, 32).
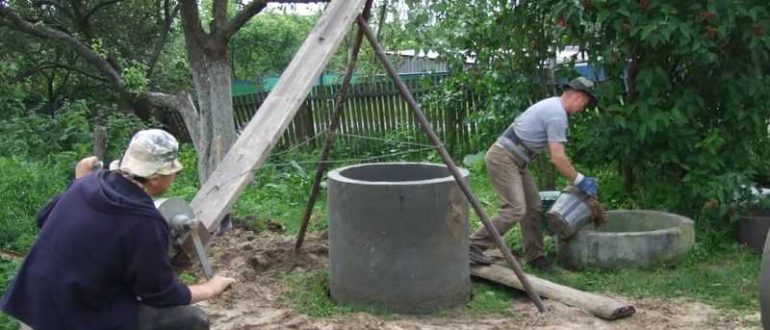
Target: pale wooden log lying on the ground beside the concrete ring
(603, 307)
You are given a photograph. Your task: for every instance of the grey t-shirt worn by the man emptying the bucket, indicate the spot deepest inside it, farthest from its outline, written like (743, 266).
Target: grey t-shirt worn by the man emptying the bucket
(542, 122)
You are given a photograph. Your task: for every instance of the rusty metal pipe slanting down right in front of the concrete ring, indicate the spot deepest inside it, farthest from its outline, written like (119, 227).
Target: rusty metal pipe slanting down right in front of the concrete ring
(363, 26)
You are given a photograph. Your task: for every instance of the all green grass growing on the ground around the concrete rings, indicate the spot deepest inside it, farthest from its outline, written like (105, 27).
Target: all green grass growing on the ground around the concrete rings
(723, 275)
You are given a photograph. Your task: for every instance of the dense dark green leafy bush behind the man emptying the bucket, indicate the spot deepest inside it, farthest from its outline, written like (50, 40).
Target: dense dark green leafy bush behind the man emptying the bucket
(691, 126)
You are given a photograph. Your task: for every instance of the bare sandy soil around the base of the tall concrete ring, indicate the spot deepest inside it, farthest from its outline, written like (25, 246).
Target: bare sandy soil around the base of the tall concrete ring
(257, 300)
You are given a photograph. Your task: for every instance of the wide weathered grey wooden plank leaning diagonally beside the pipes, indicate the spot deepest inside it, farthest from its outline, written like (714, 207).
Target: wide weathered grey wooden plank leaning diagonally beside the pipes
(232, 175)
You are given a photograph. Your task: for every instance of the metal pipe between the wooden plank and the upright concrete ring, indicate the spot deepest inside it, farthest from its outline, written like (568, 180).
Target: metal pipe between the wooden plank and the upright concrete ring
(339, 105)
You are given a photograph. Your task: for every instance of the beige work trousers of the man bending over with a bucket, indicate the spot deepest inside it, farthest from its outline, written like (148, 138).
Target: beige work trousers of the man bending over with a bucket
(519, 201)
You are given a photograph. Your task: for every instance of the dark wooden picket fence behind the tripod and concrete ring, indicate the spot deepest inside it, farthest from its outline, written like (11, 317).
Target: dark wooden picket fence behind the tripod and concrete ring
(374, 110)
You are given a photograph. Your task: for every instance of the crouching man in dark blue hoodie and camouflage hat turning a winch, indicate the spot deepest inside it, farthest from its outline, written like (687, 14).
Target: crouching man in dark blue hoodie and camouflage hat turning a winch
(101, 259)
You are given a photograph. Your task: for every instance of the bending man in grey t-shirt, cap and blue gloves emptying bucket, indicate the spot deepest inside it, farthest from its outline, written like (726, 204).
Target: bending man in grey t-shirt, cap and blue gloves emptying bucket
(543, 126)
